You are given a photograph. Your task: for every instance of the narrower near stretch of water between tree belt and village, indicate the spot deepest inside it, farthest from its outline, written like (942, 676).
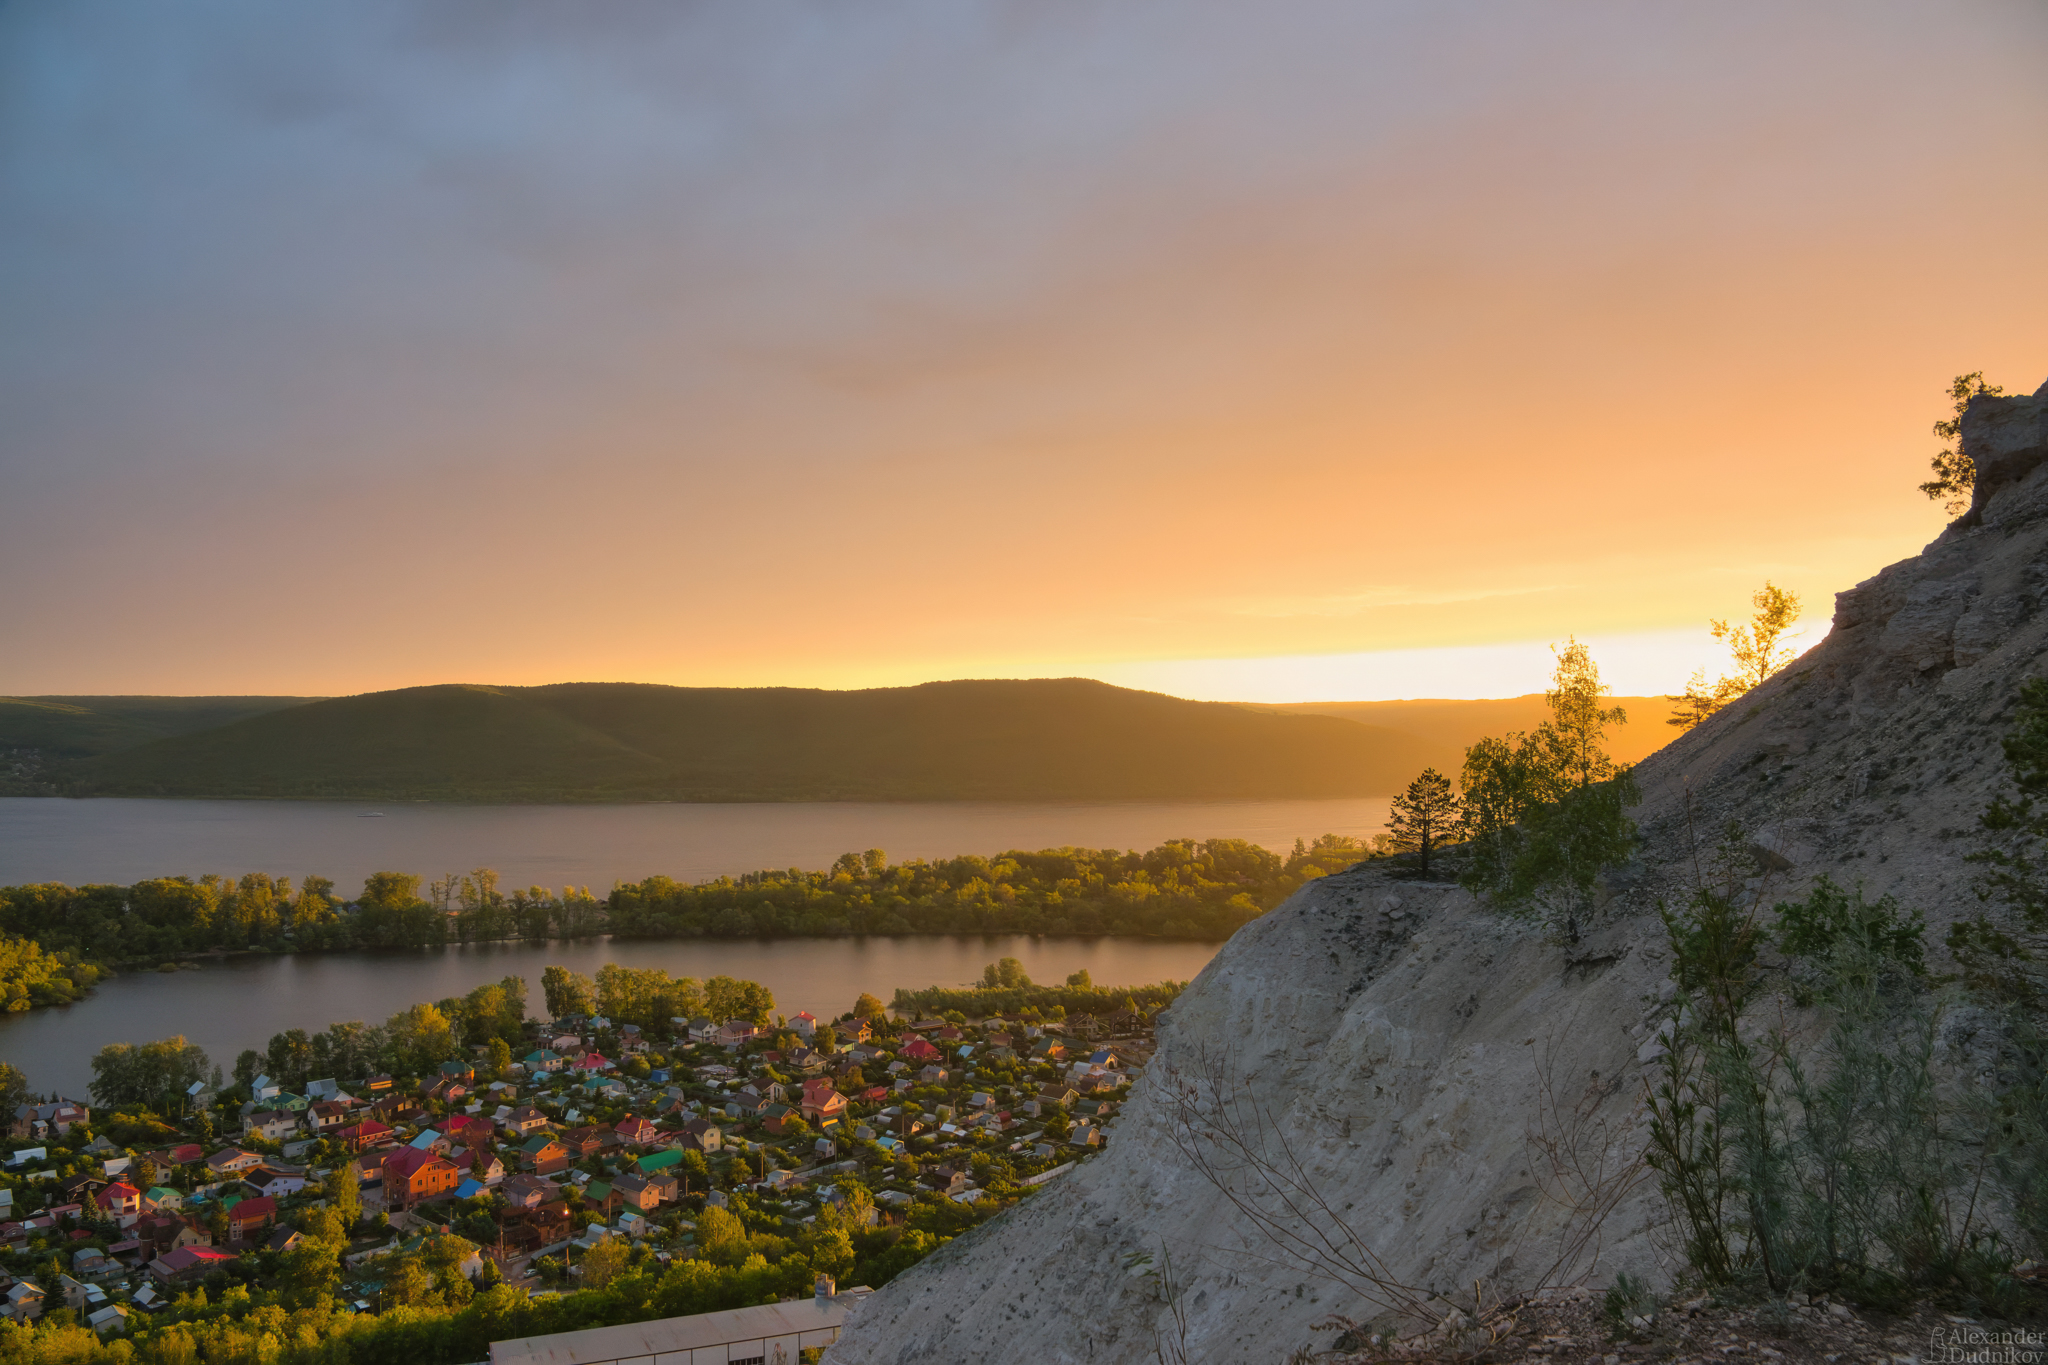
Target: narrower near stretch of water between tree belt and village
(241, 1004)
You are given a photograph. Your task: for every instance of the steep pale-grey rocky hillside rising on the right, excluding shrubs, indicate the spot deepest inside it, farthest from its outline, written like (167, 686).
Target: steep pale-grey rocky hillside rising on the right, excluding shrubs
(1385, 1092)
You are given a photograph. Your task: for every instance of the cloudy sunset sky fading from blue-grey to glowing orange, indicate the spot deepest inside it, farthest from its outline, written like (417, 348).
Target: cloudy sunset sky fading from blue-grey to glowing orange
(1267, 353)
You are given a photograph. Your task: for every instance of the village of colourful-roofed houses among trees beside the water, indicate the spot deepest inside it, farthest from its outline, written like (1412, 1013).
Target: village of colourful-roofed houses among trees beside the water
(601, 1147)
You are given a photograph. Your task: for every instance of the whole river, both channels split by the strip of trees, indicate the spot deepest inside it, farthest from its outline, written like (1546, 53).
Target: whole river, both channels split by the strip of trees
(232, 1006)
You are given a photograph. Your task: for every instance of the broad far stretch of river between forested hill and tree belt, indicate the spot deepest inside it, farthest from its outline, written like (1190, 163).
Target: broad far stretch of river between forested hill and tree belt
(110, 840)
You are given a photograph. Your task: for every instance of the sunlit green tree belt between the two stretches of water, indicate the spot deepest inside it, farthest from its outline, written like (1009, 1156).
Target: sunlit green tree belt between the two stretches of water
(1185, 889)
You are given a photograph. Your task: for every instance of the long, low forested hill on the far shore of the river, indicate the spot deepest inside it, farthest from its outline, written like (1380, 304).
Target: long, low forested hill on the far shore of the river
(1043, 740)
